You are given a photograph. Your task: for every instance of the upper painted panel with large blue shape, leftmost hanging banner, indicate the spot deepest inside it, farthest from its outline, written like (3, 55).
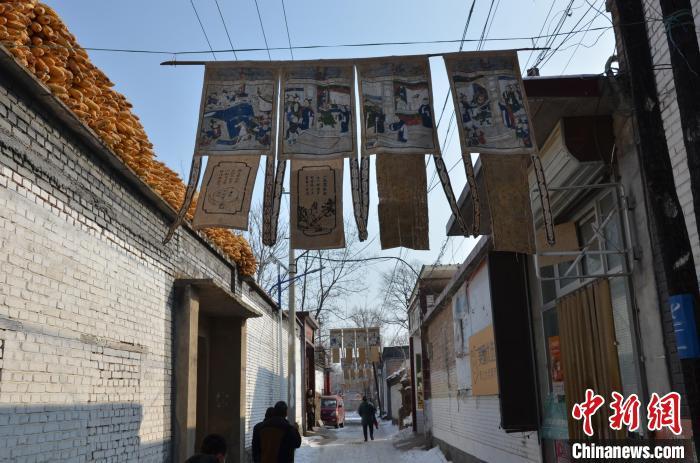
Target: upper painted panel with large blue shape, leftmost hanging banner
(237, 109)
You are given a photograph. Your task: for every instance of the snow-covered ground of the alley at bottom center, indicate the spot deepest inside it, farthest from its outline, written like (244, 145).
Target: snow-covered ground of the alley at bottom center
(346, 445)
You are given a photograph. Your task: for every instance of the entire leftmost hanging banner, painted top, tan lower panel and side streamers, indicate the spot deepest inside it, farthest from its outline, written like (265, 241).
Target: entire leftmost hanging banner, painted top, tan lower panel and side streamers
(236, 118)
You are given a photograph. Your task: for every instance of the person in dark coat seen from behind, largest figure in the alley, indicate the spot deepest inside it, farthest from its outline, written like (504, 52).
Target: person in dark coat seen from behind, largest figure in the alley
(278, 439)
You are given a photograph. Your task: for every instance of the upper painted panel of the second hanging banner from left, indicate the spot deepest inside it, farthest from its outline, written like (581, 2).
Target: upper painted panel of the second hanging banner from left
(317, 117)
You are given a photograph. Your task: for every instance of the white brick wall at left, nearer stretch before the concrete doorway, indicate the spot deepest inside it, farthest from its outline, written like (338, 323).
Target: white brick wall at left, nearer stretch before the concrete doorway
(86, 299)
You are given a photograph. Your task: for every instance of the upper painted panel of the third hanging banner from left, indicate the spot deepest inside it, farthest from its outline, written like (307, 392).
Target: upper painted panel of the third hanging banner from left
(396, 106)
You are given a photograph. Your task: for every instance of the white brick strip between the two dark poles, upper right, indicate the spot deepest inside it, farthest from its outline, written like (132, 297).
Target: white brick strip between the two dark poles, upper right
(671, 119)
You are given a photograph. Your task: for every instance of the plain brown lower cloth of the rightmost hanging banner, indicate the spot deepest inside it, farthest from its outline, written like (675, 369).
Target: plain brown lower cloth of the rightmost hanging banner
(509, 202)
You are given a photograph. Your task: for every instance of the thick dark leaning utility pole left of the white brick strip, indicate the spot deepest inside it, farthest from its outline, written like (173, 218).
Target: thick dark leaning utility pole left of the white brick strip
(671, 250)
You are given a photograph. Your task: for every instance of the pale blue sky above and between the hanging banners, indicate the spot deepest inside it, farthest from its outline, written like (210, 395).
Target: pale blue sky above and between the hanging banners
(167, 98)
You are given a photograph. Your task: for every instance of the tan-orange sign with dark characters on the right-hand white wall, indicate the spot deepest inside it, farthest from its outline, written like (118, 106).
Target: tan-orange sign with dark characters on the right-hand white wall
(482, 352)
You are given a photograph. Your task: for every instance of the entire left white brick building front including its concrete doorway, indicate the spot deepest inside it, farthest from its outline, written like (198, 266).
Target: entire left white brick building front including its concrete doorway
(112, 344)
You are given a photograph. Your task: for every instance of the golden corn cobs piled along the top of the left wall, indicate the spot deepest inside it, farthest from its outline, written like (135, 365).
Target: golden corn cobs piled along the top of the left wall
(40, 41)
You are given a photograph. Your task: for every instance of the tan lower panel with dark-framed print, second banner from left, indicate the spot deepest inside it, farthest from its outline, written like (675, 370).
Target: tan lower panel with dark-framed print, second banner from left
(317, 204)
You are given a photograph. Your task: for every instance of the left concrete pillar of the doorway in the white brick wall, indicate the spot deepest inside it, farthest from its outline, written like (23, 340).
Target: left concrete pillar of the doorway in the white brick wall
(185, 372)
